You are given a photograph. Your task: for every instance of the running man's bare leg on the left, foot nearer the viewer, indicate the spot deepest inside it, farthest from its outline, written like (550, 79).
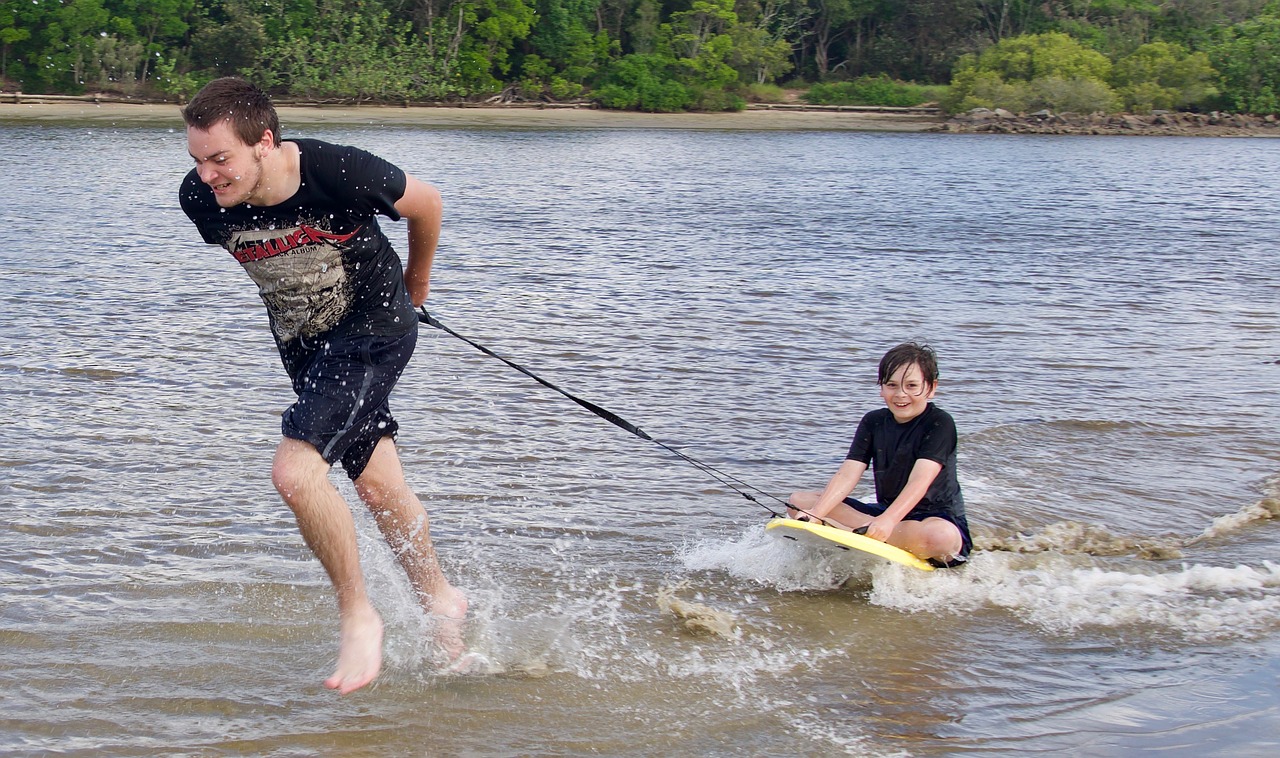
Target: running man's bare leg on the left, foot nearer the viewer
(303, 480)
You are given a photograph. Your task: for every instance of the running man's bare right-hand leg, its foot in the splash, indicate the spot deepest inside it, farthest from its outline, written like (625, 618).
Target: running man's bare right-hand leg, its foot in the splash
(403, 520)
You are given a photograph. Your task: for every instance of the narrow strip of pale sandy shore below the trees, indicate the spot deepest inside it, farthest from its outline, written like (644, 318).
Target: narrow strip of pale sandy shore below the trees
(552, 118)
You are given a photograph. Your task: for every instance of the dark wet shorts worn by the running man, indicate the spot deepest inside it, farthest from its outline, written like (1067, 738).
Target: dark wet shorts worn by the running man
(344, 386)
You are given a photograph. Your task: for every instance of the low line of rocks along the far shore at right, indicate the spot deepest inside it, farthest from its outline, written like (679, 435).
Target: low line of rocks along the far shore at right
(1160, 122)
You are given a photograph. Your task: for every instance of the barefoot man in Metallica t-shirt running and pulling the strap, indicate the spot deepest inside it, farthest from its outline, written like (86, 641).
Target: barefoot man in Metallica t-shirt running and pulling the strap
(300, 218)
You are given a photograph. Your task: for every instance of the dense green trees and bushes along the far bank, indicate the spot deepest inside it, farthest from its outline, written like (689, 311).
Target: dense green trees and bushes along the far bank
(664, 54)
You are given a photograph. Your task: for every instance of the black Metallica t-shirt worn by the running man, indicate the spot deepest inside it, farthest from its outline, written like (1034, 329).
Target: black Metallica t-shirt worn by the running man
(321, 262)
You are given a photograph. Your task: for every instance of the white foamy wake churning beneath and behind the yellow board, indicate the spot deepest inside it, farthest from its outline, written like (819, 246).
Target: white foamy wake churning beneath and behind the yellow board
(1059, 595)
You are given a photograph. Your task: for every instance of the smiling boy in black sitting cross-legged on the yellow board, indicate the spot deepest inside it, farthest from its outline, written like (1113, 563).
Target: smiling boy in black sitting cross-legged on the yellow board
(913, 446)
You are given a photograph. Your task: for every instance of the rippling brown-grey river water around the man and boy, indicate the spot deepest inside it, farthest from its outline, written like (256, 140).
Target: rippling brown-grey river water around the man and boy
(1108, 319)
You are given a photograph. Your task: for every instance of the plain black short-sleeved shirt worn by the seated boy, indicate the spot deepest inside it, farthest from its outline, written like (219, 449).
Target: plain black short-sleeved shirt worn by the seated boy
(893, 449)
